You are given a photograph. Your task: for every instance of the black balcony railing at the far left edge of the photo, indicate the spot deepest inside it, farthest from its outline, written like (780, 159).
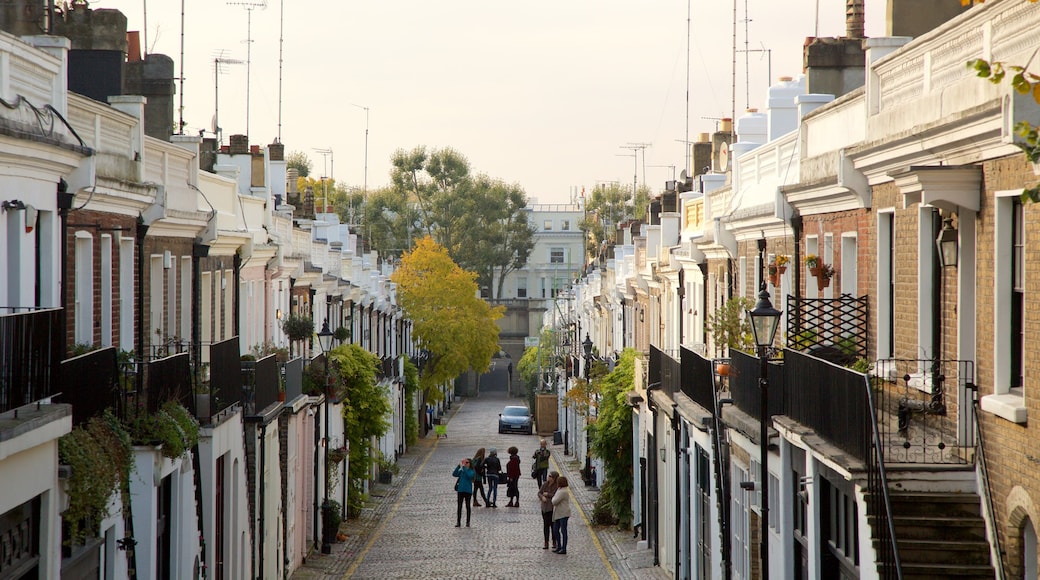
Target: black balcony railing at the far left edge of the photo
(31, 353)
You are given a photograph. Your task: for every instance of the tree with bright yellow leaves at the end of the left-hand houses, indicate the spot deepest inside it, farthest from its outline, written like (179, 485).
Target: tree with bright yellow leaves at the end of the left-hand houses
(452, 324)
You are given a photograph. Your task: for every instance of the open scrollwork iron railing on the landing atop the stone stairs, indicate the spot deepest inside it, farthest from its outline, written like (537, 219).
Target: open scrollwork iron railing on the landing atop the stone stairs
(920, 410)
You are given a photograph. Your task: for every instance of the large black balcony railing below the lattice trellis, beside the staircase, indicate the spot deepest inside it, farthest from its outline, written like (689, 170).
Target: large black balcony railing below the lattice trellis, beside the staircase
(829, 399)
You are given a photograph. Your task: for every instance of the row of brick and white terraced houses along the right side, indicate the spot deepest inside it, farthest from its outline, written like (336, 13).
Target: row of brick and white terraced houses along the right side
(885, 429)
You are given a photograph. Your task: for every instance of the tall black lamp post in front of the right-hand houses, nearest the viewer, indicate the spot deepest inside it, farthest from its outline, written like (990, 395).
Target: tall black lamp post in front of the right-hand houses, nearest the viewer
(765, 321)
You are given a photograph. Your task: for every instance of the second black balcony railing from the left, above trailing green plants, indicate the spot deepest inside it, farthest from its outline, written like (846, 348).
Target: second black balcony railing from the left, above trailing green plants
(92, 384)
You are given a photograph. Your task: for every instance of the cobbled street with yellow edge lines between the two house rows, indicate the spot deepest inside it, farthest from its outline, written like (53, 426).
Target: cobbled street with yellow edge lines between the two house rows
(407, 529)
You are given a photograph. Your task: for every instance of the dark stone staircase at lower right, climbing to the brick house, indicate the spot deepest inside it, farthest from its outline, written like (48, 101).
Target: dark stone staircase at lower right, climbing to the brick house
(941, 535)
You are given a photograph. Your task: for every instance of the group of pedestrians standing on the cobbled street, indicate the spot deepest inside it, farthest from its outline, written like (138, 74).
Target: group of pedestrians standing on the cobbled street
(554, 491)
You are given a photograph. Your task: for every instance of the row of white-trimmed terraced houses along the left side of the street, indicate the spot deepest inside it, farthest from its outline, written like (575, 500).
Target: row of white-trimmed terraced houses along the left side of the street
(146, 283)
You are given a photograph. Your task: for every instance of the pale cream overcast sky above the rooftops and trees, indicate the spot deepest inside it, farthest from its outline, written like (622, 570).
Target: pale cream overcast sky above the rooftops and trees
(543, 94)
